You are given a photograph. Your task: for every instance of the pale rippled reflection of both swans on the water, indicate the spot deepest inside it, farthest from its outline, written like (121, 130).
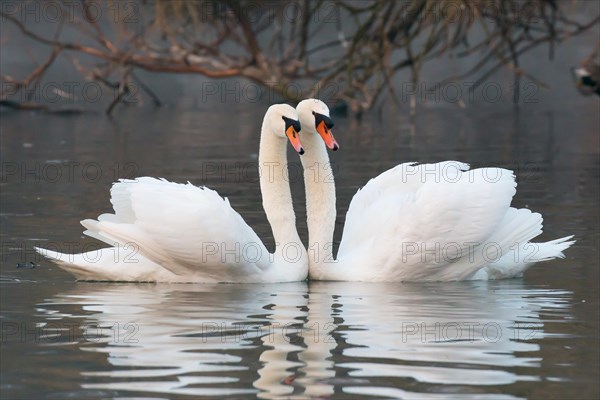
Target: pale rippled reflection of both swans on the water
(299, 340)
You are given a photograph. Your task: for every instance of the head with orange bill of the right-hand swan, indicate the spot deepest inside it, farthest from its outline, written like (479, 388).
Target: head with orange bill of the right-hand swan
(314, 117)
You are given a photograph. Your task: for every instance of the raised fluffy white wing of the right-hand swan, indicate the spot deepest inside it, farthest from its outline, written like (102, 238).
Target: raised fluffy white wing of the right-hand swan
(426, 222)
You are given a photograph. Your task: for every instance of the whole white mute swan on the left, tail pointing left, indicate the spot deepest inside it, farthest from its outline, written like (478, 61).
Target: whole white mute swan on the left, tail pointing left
(169, 232)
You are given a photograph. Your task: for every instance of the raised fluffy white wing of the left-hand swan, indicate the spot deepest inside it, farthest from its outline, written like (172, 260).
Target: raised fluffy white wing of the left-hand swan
(188, 230)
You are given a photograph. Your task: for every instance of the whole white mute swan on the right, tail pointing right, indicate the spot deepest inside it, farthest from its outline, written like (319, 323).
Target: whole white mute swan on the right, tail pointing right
(428, 222)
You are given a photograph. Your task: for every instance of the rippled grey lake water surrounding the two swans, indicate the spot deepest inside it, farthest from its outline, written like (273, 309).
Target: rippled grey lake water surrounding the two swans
(533, 337)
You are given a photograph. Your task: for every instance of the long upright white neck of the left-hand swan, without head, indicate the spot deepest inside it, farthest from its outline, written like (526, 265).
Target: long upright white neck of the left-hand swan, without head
(276, 194)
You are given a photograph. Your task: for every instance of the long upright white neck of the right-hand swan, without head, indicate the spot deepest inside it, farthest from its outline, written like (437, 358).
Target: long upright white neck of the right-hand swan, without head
(320, 200)
